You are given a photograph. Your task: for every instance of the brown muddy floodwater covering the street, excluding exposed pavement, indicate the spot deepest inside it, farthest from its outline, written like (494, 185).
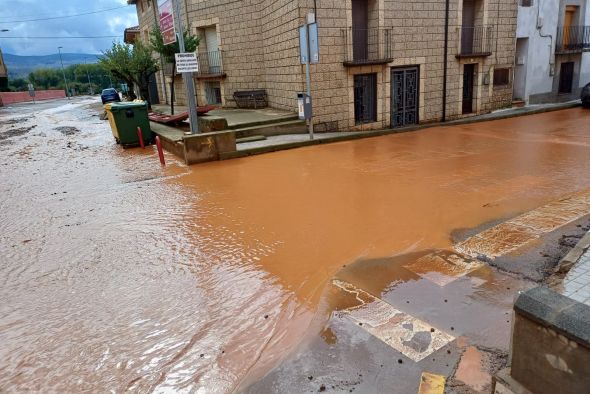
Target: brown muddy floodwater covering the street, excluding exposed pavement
(117, 274)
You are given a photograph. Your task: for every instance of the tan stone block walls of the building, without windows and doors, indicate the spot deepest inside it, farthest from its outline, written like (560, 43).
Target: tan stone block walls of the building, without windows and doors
(260, 50)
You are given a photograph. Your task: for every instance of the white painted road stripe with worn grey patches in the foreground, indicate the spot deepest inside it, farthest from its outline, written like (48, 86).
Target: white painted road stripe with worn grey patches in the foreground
(408, 335)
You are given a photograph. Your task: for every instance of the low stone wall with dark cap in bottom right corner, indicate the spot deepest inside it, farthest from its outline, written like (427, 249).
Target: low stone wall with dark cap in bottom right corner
(550, 351)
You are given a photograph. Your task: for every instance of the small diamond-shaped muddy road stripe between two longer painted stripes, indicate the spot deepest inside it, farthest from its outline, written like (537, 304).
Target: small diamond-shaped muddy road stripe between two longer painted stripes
(443, 267)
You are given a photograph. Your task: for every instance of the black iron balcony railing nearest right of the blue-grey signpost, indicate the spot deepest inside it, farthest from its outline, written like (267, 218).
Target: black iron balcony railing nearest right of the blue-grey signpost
(367, 46)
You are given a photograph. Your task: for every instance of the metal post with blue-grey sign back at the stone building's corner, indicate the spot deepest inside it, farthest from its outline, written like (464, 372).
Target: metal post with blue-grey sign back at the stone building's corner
(309, 52)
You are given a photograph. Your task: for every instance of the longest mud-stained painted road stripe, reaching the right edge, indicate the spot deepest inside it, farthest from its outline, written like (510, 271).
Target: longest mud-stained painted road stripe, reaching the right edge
(526, 228)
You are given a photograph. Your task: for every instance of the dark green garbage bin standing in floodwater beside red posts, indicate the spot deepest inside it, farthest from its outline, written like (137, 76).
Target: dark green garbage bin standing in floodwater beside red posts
(125, 118)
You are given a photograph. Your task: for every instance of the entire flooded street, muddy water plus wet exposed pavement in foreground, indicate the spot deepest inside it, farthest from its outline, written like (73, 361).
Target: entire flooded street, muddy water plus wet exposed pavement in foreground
(255, 274)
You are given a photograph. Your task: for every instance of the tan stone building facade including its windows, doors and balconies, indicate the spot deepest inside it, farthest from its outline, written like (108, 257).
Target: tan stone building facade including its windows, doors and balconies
(381, 61)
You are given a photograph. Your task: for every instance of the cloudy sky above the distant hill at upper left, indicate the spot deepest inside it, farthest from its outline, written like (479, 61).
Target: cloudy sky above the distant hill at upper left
(108, 23)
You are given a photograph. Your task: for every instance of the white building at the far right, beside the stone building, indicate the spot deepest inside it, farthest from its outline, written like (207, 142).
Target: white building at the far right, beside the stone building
(552, 50)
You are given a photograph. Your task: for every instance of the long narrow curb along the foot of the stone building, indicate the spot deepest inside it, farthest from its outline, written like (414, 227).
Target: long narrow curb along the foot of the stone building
(379, 133)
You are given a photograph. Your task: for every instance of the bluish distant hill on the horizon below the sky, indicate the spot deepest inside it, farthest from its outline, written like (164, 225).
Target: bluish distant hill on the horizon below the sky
(21, 66)
